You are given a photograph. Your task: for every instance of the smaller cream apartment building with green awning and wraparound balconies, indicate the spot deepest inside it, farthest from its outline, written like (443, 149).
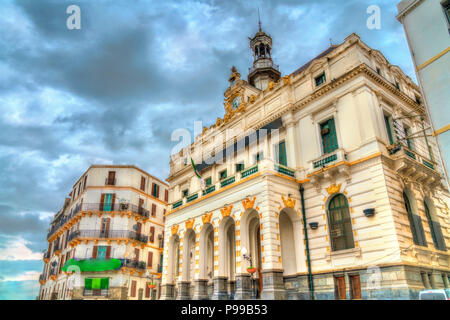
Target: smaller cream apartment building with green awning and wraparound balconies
(106, 241)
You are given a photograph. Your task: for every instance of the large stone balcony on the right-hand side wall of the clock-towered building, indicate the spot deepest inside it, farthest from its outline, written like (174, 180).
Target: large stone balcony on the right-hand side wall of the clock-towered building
(416, 167)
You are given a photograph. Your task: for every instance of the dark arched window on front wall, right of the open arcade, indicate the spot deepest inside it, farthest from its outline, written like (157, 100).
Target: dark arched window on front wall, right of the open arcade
(341, 233)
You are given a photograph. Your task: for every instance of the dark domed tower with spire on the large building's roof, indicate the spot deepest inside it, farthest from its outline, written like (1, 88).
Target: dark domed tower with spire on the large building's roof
(263, 70)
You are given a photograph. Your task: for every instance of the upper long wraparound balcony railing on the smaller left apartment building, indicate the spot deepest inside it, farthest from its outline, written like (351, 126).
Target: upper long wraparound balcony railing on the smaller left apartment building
(99, 207)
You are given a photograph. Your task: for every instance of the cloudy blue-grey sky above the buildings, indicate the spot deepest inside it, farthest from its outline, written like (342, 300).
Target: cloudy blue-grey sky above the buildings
(113, 92)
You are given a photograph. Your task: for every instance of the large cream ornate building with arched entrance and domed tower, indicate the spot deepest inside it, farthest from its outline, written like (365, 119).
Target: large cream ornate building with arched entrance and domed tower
(327, 187)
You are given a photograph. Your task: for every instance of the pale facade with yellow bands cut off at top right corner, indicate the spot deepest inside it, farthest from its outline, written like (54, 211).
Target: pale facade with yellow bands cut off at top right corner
(427, 27)
